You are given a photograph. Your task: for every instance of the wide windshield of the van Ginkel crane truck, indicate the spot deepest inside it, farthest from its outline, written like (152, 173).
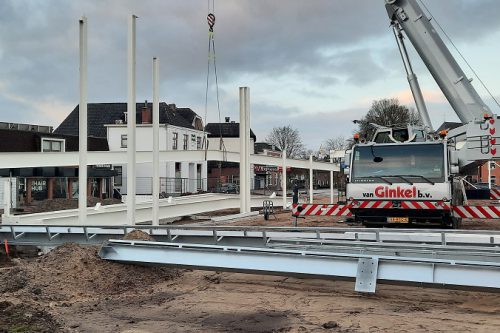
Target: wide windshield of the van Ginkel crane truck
(413, 161)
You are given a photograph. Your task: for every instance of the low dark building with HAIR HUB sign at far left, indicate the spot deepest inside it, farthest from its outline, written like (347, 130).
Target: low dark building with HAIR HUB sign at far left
(38, 184)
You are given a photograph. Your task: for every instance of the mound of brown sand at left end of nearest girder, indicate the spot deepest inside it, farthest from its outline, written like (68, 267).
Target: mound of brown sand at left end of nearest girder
(72, 270)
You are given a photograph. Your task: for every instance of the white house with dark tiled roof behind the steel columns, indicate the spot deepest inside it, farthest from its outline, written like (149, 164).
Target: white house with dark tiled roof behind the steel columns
(180, 129)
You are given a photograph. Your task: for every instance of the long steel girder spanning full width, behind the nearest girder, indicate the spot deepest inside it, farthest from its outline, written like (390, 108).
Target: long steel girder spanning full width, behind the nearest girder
(390, 240)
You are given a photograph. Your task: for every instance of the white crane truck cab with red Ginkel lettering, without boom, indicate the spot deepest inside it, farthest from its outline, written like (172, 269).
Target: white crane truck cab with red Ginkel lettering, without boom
(407, 181)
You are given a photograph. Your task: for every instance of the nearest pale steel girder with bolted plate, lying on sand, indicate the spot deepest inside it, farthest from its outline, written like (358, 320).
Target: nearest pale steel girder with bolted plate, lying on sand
(366, 268)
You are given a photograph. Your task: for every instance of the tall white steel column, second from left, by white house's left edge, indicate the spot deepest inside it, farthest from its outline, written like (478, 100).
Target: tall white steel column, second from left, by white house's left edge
(131, 114)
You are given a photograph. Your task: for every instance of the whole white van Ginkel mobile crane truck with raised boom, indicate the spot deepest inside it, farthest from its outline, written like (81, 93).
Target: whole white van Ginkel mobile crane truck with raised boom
(411, 174)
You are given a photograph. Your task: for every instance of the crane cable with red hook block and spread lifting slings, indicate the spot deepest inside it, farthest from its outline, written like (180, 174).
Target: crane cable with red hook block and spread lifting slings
(212, 59)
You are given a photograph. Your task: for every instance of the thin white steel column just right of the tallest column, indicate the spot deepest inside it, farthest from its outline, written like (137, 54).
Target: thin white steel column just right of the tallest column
(156, 141)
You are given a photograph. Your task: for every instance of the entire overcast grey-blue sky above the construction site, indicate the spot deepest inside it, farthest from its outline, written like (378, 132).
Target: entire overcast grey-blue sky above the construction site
(315, 65)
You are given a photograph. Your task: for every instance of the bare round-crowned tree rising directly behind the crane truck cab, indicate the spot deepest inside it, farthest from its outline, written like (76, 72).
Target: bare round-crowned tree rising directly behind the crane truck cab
(387, 112)
